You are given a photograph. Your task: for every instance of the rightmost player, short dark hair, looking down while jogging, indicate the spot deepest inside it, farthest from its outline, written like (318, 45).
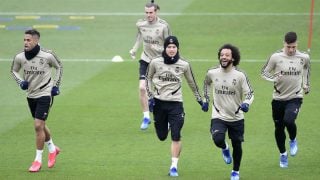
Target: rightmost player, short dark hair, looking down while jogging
(289, 70)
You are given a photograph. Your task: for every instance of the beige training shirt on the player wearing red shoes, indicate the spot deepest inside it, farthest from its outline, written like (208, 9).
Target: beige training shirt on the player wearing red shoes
(37, 71)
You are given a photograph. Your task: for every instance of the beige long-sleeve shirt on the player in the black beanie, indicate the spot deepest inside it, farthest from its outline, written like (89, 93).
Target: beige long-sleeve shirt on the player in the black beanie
(164, 81)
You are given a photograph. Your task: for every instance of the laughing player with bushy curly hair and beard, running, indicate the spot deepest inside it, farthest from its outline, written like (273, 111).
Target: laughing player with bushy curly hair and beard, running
(232, 96)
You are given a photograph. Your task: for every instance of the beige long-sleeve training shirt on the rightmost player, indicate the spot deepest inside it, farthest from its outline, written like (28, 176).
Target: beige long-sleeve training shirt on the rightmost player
(288, 73)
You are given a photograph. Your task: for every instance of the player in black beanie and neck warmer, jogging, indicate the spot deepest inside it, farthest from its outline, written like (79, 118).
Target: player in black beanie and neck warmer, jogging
(164, 87)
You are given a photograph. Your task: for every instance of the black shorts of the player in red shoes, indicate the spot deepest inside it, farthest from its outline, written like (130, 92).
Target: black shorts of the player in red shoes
(39, 107)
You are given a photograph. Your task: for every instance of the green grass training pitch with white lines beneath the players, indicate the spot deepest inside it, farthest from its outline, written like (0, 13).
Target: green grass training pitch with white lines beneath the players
(96, 119)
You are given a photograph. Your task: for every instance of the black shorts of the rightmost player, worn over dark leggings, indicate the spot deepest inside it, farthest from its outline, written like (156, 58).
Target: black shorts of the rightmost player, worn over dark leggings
(286, 109)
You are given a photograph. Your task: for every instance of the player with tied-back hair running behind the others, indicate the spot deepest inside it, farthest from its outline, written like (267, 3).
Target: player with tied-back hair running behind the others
(151, 32)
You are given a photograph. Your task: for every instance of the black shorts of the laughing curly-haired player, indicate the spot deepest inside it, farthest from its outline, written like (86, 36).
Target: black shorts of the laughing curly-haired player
(235, 129)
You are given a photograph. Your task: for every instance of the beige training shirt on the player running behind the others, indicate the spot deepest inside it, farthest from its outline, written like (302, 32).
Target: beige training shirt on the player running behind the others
(152, 35)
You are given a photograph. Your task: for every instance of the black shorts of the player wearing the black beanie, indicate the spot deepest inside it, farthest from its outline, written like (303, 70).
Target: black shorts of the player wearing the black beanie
(165, 112)
